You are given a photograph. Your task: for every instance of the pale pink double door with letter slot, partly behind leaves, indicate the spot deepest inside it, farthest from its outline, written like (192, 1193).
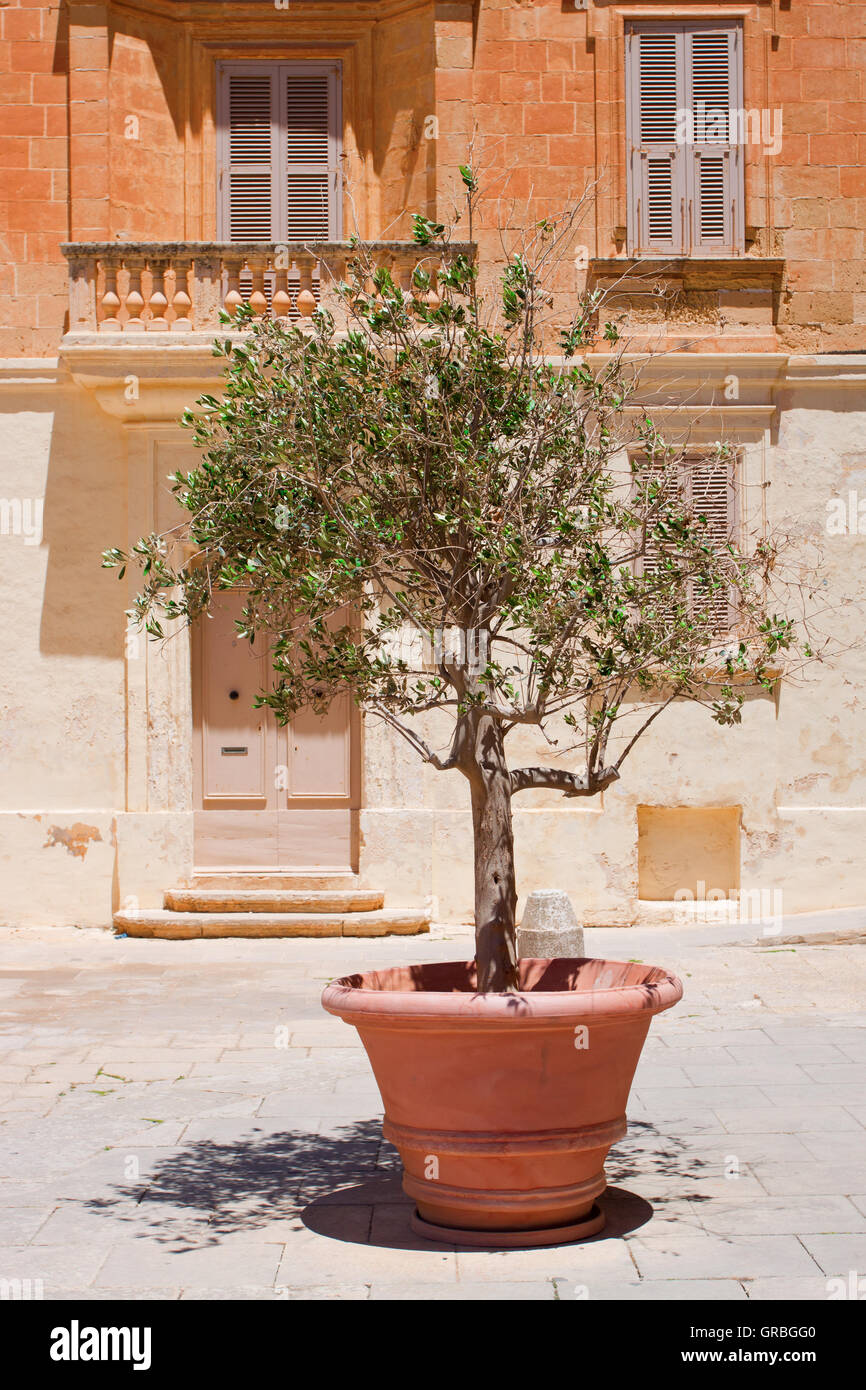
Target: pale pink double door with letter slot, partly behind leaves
(269, 797)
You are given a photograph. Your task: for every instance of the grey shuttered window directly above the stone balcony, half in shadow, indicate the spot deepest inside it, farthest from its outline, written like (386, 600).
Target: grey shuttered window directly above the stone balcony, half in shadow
(279, 152)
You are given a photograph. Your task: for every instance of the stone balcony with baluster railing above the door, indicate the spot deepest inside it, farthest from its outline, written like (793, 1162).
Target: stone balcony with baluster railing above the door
(144, 315)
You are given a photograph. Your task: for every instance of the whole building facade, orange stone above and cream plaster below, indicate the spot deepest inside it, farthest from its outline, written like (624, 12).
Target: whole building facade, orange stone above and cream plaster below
(162, 159)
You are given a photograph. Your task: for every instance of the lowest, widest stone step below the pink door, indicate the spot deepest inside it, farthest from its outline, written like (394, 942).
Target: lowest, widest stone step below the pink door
(187, 925)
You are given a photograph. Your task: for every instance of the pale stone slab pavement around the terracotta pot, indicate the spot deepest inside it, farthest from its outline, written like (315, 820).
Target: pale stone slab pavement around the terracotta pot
(180, 1120)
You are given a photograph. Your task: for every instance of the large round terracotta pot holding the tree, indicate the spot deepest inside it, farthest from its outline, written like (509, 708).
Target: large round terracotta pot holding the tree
(504, 1107)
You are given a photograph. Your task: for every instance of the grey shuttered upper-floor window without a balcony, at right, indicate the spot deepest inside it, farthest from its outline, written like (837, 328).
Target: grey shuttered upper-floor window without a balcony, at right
(683, 117)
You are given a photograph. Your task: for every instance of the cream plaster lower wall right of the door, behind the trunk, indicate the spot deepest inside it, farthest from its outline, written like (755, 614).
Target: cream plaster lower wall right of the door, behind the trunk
(796, 767)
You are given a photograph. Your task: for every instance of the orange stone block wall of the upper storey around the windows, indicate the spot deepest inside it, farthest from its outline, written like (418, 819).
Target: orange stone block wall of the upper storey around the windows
(533, 88)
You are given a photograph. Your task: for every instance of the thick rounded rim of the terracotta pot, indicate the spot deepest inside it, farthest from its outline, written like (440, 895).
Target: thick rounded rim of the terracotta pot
(350, 1000)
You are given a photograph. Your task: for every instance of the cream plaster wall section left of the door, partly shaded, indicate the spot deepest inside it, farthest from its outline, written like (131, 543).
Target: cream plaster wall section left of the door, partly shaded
(62, 678)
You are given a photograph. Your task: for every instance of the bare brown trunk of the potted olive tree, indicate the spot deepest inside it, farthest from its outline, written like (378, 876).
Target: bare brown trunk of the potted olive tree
(494, 850)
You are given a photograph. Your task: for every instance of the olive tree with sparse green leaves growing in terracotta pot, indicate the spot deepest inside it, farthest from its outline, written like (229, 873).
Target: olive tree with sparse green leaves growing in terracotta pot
(437, 468)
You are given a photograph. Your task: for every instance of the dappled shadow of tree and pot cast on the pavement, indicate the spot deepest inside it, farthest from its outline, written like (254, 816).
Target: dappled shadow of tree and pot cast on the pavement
(344, 1185)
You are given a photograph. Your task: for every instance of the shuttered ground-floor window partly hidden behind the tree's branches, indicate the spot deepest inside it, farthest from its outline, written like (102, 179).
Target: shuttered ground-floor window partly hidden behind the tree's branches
(708, 487)
